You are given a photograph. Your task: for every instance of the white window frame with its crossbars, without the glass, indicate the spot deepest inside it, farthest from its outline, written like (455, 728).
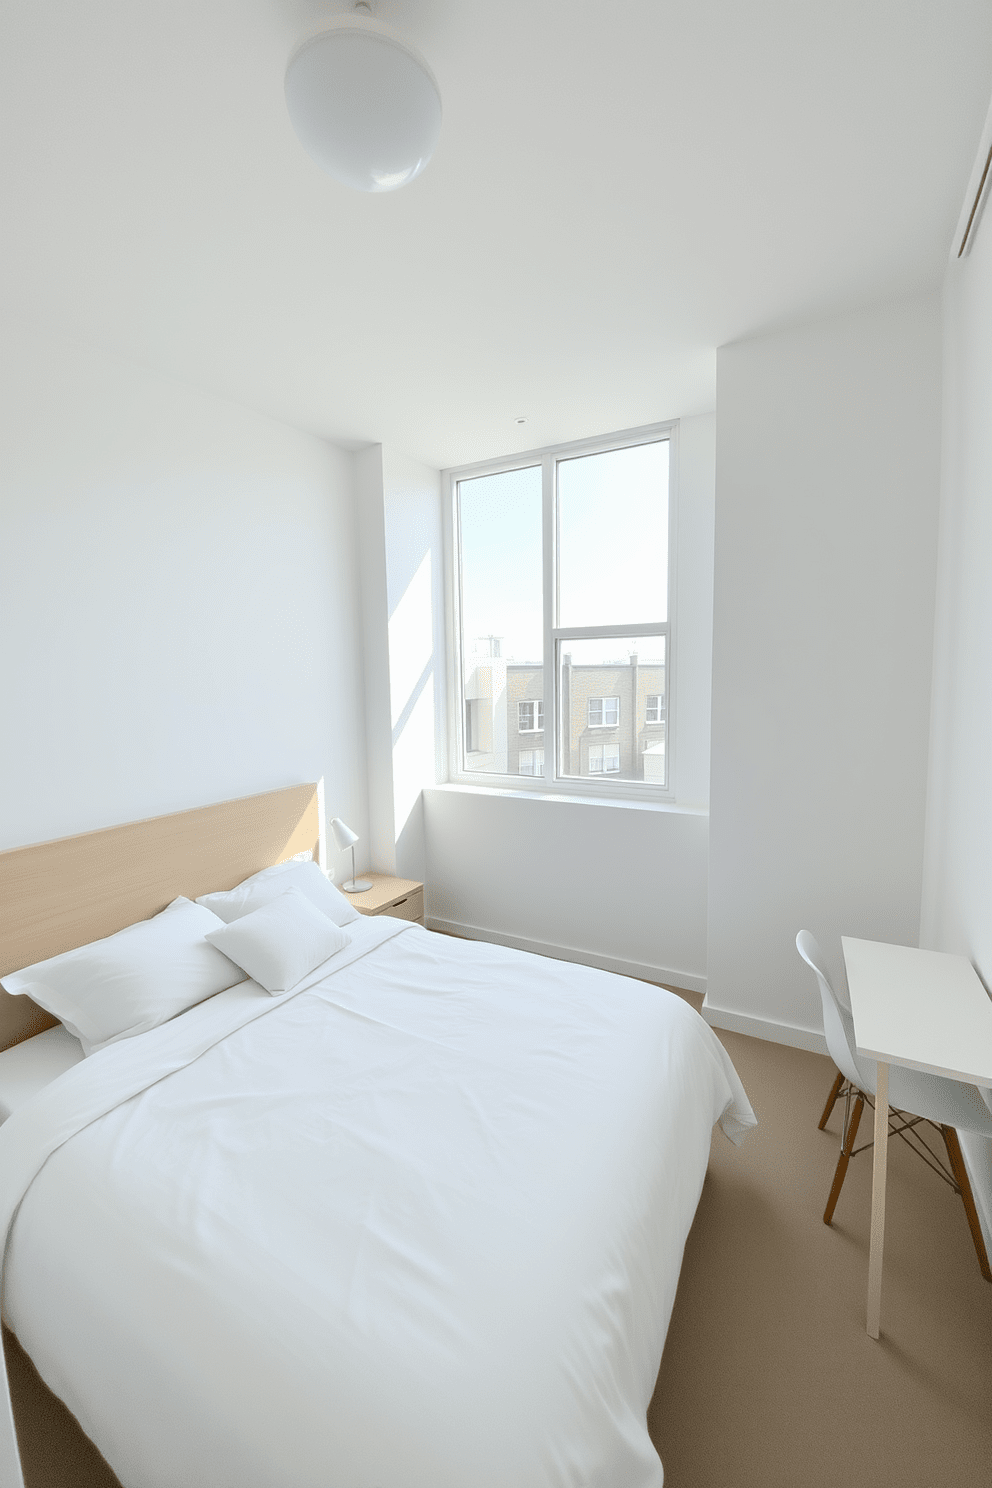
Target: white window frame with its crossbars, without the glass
(606, 786)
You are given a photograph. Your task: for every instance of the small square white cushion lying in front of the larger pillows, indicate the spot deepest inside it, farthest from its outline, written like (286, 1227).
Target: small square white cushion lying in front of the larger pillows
(282, 943)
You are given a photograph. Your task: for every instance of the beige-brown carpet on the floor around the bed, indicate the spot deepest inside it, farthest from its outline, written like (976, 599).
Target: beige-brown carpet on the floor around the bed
(770, 1379)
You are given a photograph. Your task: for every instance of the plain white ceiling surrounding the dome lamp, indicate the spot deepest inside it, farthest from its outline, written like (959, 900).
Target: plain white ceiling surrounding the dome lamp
(621, 187)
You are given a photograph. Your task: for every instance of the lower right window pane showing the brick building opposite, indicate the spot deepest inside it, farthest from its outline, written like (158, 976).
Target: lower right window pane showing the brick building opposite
(613, 709)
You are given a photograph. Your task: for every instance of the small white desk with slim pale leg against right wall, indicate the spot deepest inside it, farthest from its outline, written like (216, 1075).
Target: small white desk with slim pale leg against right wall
(927, 1011)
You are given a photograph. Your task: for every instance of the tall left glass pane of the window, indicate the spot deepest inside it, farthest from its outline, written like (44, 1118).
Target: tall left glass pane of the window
(502, 623)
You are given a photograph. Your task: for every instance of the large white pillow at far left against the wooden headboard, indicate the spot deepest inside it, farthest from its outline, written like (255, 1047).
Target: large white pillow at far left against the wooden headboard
(132, 981)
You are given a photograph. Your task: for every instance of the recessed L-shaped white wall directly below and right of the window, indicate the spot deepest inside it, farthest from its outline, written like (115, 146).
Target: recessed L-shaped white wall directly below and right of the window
(618, 886)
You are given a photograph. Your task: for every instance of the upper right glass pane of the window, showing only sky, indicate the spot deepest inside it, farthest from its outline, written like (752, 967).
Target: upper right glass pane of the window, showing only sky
(613, 538)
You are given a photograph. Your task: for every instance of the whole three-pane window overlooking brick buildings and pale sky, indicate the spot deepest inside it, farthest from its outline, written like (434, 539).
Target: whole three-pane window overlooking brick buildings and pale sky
(561, 596)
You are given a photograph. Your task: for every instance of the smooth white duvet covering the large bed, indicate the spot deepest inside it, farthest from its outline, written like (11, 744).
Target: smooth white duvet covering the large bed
(417, 1227)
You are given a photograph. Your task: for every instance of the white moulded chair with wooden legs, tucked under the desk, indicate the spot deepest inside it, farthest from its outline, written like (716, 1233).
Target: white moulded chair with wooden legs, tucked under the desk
(915, 1100)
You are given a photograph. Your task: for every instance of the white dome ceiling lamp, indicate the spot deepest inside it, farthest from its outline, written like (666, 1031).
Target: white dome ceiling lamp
(364, 102)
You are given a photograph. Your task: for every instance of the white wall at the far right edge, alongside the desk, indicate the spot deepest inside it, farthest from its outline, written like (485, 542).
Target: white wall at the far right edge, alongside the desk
(959, 876)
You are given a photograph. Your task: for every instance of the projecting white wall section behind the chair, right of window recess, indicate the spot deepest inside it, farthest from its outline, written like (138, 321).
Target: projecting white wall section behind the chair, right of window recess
(828, 489)
